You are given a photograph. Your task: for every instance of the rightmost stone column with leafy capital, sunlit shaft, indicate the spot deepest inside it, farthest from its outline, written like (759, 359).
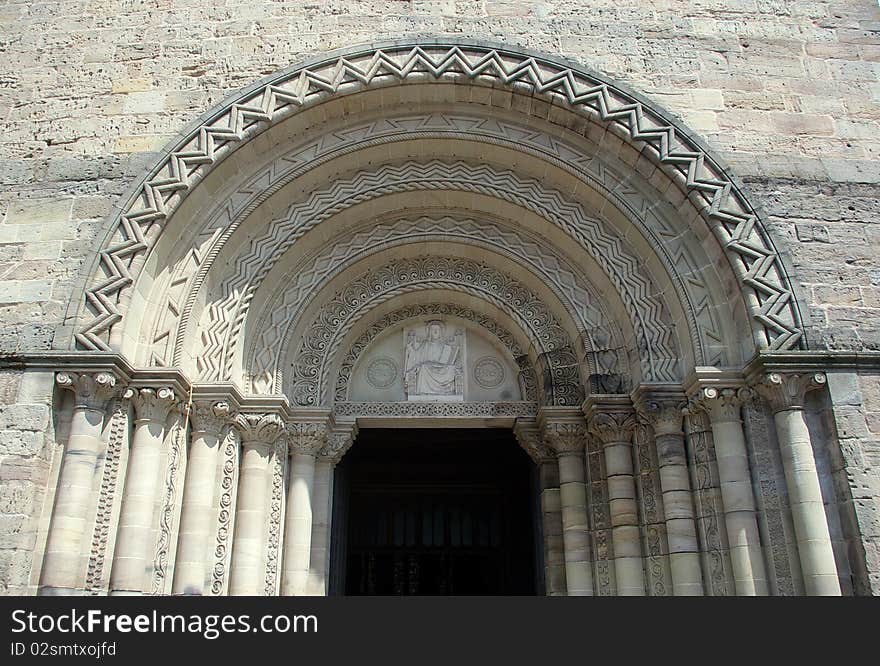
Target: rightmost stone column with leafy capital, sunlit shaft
(786, 393)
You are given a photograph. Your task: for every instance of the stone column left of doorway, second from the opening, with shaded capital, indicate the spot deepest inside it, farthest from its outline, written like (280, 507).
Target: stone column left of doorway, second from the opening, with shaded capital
(305, 439)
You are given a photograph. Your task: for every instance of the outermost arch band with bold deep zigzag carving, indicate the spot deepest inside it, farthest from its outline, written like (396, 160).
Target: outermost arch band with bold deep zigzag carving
(722, 204)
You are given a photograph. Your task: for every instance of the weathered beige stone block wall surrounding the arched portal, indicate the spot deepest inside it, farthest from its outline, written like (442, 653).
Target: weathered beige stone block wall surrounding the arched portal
(786, 91)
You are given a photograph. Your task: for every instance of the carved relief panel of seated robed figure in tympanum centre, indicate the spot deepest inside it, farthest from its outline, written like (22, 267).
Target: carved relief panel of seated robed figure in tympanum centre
(434, 367)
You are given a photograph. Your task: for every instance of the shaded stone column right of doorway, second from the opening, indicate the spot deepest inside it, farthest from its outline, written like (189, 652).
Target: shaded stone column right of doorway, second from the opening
(567, 438)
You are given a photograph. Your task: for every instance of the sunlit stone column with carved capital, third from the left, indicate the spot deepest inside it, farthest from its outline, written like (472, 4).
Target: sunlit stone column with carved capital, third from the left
(192, 566)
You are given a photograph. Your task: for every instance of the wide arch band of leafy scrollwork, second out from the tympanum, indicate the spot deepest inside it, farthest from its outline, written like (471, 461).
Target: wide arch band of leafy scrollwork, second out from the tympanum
(310, 360)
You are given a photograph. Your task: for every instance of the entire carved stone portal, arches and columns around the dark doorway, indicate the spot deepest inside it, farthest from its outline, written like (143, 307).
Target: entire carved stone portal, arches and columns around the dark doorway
(614, 259)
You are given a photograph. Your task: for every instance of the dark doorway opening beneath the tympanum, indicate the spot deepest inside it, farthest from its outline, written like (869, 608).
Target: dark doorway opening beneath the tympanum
(435, 512)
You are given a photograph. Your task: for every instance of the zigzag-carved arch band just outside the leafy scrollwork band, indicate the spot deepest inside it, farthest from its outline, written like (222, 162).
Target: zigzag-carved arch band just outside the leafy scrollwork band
(262, 360)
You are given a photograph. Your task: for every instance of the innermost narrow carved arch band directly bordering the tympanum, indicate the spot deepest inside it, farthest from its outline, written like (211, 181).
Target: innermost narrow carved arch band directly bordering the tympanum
(528, 380)
